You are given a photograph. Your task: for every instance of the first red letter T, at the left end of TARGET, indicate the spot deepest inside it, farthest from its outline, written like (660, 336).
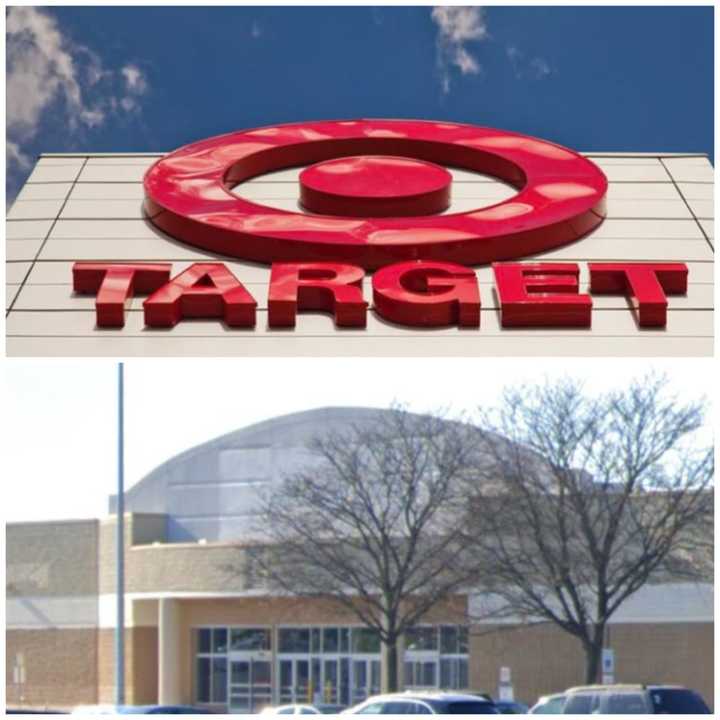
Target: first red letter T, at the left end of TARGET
(115, 284)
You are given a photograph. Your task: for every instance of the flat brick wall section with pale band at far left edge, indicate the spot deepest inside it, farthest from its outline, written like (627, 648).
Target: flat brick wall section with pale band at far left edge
(52, 585)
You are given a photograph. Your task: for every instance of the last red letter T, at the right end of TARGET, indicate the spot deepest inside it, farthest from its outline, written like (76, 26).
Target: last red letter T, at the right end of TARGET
(648, 283)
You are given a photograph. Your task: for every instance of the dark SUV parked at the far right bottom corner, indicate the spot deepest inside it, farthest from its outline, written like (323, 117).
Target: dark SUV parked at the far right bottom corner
(634, 700)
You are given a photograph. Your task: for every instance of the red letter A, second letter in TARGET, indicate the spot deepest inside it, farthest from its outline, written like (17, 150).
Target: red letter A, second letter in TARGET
(204, 290)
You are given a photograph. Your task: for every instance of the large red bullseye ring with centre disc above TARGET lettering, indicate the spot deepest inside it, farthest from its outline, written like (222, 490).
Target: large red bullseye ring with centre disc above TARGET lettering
(374, 189)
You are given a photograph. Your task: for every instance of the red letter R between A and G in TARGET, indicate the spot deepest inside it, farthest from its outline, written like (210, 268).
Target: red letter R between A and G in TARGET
(333, 287)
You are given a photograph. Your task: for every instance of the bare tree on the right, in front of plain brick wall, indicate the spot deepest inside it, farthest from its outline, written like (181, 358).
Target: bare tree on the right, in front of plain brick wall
(592, 498)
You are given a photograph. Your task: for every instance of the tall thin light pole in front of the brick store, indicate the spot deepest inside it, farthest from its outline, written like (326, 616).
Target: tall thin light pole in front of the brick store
(120, 550)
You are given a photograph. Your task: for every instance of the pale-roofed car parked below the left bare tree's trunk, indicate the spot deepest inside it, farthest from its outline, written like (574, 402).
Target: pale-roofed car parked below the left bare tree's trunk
(425, 703)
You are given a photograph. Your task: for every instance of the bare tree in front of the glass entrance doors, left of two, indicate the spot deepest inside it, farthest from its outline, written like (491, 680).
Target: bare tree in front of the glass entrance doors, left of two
(372, 525)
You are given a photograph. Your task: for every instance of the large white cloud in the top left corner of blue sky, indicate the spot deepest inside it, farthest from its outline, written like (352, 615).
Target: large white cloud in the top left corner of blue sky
(48, 75)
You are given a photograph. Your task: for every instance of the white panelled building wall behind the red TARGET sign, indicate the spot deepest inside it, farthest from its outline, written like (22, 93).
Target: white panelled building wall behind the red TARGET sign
(89, 208)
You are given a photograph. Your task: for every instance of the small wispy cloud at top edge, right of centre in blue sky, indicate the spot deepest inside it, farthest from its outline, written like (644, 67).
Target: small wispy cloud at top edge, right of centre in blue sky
(458, 26)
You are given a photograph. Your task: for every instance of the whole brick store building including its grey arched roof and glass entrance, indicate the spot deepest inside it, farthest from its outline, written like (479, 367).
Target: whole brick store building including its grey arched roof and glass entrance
(198, 629)
